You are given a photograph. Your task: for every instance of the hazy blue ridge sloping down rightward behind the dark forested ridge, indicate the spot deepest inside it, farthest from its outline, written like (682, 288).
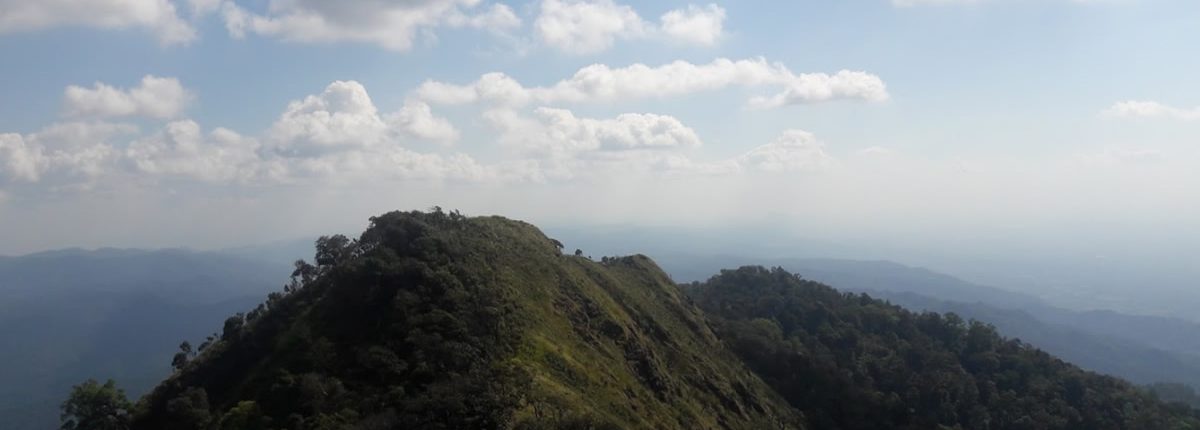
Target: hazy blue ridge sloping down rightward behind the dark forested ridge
(1142, 349)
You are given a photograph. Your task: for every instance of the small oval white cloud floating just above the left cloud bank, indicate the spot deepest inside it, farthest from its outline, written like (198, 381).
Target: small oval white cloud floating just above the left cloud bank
(155, 98)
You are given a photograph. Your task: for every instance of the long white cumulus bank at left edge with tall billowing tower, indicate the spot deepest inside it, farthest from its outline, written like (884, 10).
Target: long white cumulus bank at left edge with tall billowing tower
(338, 135)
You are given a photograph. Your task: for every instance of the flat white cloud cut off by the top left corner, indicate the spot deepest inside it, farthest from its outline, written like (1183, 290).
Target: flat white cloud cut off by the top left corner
(158, 16)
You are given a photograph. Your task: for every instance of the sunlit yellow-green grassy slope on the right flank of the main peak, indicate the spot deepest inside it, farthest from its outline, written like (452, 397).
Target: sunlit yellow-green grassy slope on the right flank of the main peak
(621, 341)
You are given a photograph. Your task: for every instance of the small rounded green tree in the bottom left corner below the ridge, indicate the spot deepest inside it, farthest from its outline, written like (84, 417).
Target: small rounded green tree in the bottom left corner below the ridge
(95, 407)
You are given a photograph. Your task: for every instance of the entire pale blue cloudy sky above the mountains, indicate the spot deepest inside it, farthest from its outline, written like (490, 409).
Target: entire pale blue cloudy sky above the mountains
(1016, 127)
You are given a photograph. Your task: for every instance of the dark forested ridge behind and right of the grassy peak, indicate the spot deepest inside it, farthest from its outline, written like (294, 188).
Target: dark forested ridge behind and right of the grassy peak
(853, 362)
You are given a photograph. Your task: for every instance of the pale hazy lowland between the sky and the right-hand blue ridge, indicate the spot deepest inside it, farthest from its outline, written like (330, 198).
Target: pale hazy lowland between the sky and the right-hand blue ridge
(1157, 282)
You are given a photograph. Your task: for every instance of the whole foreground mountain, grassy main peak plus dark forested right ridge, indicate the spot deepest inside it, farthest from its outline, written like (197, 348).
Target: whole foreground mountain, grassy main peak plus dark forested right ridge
(440, 321)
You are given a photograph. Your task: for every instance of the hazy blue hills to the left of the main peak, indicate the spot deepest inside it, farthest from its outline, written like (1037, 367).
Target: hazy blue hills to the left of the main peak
(74, 314)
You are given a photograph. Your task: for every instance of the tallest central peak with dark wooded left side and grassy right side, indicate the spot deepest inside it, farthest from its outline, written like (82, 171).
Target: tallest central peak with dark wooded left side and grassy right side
(439, 321)
